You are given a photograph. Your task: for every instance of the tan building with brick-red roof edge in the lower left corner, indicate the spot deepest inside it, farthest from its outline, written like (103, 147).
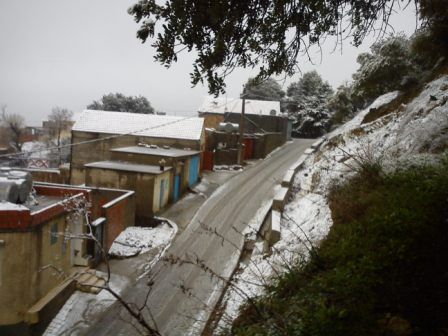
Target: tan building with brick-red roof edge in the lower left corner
(36, 258)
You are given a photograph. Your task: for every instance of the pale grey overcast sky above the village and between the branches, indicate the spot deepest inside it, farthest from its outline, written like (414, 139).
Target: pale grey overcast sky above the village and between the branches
(69, 53)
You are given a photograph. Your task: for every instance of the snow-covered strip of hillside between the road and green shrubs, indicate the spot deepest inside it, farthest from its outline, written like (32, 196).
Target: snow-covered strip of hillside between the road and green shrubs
(415, 132)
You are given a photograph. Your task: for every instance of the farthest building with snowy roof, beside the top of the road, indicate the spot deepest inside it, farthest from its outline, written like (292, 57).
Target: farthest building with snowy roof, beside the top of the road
(265, 128)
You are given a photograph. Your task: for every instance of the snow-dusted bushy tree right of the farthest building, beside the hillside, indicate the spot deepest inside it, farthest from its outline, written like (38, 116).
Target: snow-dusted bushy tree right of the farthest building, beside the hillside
(307, 103)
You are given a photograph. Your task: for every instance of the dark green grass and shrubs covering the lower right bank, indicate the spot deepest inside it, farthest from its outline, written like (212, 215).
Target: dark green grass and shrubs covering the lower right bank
(380, 271)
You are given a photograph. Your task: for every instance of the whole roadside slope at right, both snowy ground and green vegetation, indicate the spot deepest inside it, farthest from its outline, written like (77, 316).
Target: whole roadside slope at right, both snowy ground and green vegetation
(365, 236)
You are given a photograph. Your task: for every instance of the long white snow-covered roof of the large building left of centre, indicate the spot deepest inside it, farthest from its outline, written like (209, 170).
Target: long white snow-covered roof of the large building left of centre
(150, 125)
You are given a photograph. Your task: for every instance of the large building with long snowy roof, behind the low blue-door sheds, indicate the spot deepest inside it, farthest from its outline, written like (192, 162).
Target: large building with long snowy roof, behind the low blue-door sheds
(121, 129)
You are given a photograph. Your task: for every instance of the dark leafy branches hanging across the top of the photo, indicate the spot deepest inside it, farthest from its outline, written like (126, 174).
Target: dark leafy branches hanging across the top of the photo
(268, 34)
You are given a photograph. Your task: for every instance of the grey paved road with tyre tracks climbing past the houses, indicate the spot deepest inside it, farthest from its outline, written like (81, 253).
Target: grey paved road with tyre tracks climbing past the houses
(180, 292)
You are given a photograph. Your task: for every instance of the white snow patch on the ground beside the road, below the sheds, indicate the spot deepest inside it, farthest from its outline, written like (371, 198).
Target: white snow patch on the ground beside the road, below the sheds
(136, 240)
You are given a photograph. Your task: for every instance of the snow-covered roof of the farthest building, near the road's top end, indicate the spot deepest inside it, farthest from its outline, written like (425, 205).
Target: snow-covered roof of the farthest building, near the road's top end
(223, 105)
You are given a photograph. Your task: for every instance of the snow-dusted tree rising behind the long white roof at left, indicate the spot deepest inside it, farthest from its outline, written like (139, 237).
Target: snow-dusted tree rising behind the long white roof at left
(118, 102)
